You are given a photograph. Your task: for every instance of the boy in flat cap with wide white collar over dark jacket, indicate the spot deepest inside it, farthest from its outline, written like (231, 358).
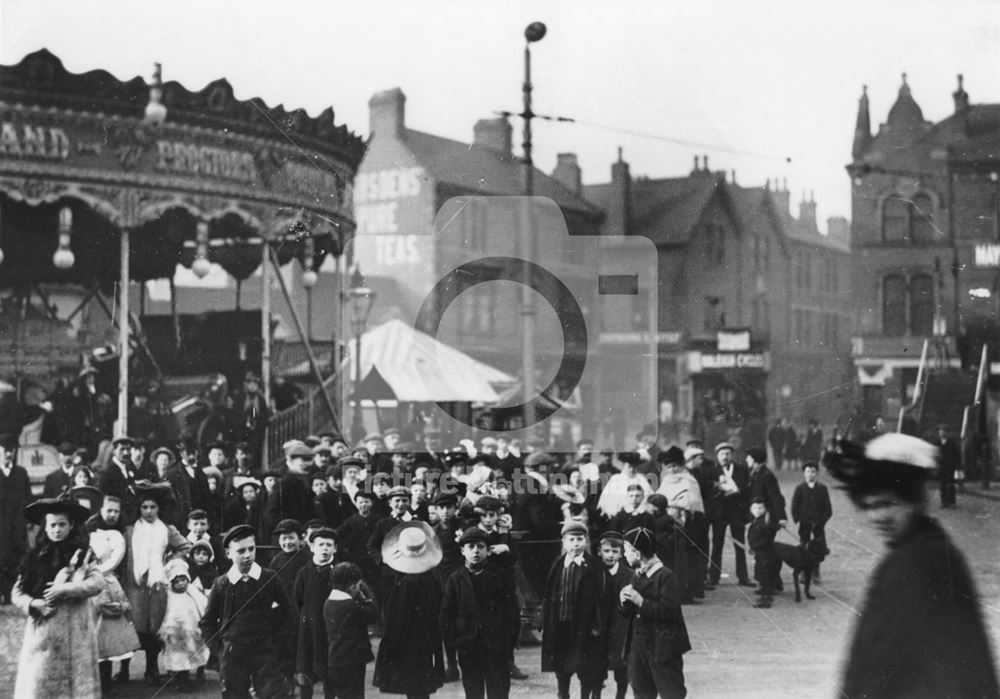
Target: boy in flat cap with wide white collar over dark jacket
(248, 608)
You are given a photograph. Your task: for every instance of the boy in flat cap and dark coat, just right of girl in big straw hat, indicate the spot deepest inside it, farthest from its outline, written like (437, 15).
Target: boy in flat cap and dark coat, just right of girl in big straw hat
(481, 613)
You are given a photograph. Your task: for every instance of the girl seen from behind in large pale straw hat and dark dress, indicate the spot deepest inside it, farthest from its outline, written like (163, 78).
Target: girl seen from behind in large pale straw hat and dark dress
(410, 658)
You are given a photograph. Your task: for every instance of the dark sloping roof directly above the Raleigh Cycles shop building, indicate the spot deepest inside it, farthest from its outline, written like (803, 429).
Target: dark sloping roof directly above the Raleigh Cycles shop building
(664, 210)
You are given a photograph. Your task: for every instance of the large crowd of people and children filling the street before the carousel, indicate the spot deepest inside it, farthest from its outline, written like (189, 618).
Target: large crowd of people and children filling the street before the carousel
(278, 578)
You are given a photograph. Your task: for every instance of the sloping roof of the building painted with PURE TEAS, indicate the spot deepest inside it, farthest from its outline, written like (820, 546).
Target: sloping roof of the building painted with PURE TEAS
(475, 169)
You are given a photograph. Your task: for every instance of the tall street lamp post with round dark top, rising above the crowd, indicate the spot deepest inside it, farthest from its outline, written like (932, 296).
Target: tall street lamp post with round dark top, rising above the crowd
(532, 33)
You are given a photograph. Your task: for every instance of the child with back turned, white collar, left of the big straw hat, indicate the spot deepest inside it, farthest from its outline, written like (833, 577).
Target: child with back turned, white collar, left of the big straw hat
(347, 612)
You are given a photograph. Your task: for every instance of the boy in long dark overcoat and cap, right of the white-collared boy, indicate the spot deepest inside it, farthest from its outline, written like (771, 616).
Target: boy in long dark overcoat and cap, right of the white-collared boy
(312, 587)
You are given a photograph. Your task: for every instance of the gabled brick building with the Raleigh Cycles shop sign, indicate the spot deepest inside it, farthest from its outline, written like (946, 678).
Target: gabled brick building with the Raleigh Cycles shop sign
(753, 302)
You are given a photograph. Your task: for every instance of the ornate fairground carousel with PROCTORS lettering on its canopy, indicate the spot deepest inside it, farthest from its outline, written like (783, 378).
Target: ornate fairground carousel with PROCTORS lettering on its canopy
(108, 184)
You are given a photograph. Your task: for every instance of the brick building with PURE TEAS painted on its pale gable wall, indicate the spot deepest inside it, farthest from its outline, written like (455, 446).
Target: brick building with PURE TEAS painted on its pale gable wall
(405, 179)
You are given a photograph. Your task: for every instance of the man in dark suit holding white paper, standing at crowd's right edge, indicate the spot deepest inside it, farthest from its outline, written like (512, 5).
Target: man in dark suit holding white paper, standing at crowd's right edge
(729, 508)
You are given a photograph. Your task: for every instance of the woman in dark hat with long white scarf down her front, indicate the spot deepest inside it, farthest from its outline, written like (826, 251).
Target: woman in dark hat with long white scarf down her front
(151, 542)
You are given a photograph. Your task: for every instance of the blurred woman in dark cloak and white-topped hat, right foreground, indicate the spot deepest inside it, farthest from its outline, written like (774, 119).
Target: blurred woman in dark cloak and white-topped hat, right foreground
(921, 633)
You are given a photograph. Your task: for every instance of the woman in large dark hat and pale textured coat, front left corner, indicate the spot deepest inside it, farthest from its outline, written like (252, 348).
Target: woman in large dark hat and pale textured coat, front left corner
(54, 584)
